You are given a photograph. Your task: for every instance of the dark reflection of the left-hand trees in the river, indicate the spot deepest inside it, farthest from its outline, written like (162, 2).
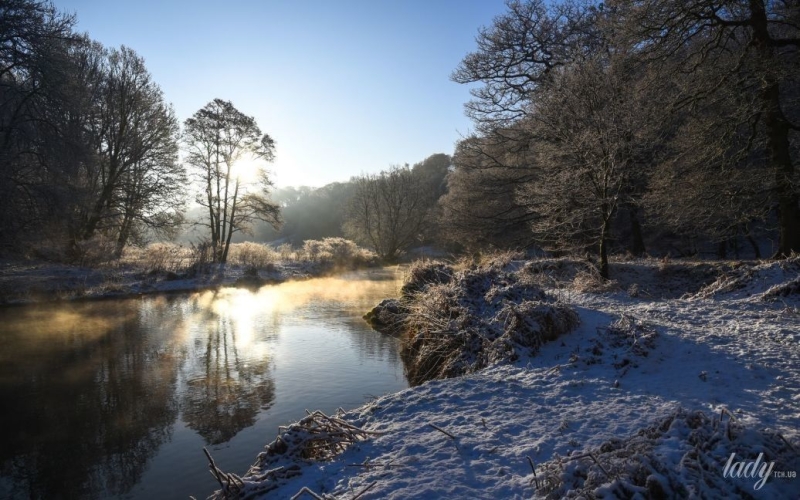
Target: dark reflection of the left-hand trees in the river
(87, 401)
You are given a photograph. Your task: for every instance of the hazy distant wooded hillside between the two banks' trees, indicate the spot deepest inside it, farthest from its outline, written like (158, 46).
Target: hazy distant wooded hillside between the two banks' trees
(389, 212)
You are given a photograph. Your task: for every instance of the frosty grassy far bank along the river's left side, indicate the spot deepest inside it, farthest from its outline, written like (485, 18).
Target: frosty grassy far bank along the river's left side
(169, 267)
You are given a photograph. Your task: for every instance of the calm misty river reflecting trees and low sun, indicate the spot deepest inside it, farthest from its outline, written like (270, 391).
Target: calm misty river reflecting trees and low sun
(117, 398)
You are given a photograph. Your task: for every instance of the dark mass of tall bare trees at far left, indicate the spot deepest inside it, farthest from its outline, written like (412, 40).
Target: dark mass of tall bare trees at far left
(87, 144)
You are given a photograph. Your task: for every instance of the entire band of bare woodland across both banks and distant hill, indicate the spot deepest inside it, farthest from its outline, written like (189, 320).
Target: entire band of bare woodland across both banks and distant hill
(653, 127)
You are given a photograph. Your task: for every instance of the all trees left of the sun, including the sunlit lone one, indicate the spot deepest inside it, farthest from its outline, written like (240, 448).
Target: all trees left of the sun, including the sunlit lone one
(89, 148)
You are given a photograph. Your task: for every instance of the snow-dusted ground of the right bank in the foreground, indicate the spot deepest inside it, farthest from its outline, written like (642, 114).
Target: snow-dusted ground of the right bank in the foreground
(648, 398)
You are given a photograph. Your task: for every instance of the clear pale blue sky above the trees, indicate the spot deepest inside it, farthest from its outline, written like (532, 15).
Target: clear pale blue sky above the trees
(344, 87)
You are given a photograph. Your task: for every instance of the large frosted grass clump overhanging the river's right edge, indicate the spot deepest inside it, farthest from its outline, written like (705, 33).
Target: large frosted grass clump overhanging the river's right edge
(458, 322)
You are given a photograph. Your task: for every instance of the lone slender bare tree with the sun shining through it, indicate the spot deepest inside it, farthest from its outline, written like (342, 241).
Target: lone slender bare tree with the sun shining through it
(217, 138)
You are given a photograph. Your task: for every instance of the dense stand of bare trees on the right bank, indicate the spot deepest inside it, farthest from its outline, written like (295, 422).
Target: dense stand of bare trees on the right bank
(602, 122)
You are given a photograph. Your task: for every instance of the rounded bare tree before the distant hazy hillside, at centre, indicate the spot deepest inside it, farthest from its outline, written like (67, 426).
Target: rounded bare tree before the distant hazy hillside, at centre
(388, 211)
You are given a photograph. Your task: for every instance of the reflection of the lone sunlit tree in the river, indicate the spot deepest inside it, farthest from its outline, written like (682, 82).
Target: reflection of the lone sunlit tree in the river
(228, 392)
